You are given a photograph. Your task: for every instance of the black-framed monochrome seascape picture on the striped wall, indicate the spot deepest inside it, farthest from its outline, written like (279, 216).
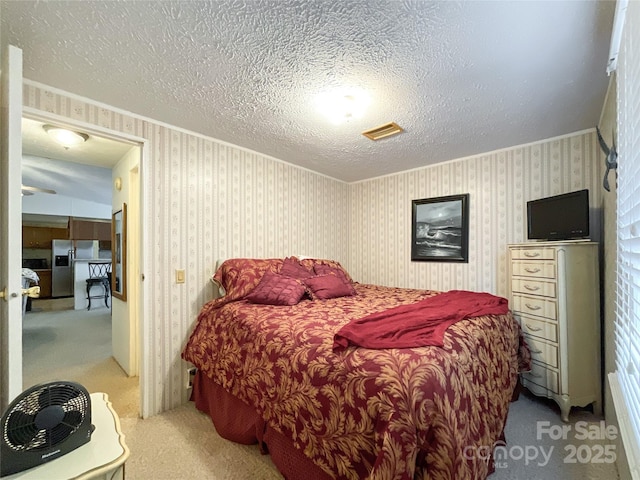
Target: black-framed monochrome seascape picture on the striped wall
(440, 229)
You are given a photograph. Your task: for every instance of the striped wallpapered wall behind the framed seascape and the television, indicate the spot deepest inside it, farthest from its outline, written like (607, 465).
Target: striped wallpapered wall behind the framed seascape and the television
(499, 184)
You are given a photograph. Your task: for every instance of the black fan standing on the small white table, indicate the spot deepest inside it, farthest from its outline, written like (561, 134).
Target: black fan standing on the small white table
(43, 423)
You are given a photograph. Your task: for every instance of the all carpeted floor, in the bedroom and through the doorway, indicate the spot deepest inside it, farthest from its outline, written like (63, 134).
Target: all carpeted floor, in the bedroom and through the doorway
(182, 444)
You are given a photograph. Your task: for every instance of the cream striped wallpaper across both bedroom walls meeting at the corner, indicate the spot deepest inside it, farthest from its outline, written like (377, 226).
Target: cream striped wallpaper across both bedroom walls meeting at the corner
(204, 200)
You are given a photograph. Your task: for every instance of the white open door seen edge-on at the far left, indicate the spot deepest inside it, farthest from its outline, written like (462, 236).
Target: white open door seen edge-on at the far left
(11, 232)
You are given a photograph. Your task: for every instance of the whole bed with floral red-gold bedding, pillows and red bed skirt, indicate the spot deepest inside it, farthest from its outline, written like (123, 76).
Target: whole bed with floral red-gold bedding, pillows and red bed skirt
(273, 367)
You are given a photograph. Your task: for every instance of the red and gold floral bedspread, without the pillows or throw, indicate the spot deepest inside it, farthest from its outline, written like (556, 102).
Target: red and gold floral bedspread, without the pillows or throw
(378, 414)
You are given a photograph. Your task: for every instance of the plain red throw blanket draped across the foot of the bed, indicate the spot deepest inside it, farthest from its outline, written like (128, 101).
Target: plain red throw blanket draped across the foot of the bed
(418, 324)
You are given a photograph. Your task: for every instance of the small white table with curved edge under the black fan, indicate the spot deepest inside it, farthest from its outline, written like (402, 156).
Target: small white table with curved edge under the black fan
(102, 457)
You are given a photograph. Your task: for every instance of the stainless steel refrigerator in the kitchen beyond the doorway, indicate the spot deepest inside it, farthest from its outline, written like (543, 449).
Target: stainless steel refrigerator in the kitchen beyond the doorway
(64, 252)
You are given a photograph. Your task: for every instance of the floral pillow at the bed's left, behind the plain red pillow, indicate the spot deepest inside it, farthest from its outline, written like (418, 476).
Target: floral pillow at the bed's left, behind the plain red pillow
(239, 276)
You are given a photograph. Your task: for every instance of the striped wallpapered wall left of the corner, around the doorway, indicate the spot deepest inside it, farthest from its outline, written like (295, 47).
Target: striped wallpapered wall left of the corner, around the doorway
(206, 200)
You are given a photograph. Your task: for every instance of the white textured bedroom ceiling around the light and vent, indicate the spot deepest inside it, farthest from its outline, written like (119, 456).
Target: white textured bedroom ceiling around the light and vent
(460, 77)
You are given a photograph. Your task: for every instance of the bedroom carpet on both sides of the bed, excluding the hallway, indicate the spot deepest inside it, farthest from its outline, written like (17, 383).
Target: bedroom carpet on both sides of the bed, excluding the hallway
(197, 452)
